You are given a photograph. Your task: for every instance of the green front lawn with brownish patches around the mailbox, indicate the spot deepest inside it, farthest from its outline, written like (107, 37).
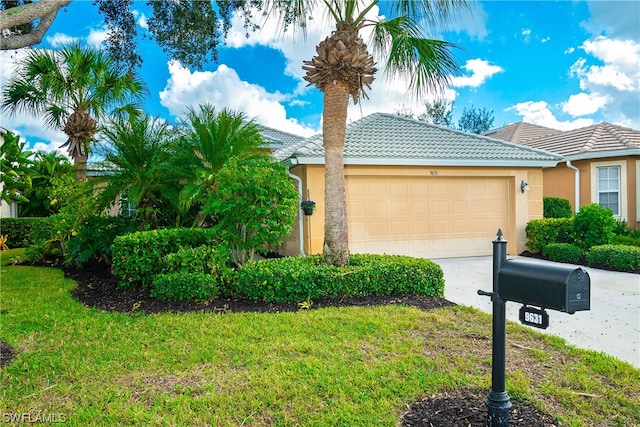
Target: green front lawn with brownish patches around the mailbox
(324, 367)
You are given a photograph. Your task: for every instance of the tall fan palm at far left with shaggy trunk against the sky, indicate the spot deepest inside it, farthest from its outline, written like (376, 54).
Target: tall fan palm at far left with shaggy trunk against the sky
(72, 89)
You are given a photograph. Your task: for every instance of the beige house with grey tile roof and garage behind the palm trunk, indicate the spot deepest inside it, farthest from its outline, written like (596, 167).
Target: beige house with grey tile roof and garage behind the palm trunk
(422, 190)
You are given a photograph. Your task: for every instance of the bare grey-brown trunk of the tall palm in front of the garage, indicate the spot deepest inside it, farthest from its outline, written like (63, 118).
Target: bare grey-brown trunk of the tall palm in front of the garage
(336, 240)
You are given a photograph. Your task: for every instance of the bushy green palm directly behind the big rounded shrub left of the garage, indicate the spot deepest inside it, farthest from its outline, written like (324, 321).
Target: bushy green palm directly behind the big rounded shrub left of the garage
(210, 139)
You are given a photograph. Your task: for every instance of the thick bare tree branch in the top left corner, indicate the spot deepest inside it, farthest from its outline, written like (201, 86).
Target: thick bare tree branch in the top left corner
(45, 10)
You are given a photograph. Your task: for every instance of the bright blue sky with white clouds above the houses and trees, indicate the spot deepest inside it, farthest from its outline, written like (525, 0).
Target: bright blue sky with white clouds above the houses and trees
(563, 65)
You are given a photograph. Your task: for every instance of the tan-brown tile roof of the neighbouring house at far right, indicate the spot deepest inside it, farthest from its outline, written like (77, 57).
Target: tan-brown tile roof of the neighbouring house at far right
(591, 141)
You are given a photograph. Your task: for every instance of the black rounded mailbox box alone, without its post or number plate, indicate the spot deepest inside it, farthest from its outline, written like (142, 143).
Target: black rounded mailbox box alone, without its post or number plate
(553, 286)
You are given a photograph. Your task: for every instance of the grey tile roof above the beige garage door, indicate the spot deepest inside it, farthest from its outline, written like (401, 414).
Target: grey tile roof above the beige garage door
(394, 140)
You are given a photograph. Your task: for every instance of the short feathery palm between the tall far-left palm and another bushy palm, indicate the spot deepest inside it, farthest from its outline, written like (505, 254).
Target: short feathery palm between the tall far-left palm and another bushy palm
(137, 151)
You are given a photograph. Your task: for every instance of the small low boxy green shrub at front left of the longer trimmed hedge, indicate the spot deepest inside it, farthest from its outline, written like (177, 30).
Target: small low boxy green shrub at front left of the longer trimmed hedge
(182, 286)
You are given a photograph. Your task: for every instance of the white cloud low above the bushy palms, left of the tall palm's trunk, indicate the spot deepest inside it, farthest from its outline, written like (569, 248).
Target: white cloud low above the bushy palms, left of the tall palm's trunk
(224, 88)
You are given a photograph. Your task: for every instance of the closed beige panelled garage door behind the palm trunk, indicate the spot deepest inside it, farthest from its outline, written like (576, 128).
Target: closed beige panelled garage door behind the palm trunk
(426, 216)
